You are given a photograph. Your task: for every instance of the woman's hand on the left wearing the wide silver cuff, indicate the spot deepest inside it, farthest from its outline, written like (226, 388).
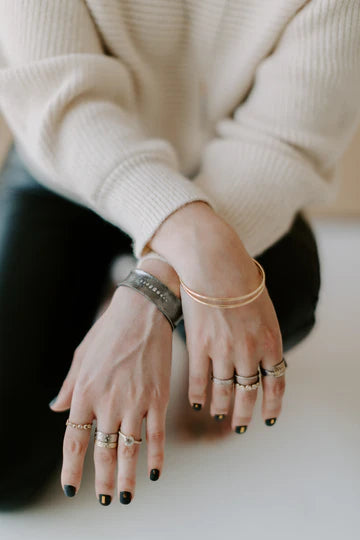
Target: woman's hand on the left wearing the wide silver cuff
(119, 375)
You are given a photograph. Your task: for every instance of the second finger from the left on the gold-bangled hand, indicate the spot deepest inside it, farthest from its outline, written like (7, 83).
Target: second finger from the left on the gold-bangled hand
(221, 394)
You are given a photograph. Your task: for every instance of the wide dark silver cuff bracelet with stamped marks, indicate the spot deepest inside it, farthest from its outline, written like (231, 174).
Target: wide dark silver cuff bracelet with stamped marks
(157, 292)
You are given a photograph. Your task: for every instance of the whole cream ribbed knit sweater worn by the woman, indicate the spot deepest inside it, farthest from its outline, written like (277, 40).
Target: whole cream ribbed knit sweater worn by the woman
(137, 107)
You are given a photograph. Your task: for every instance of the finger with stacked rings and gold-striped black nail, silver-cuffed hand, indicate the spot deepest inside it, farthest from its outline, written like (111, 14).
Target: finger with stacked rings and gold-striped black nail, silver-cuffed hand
(105, 460)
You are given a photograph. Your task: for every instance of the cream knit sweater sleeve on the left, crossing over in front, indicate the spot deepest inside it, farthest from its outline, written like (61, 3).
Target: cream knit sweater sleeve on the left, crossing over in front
(72, 112)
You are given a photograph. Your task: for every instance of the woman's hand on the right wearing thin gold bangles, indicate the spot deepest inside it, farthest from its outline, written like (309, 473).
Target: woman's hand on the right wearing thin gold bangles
(211, 259)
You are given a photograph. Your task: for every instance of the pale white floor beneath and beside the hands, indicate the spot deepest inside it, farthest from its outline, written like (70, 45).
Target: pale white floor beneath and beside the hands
(299, 479)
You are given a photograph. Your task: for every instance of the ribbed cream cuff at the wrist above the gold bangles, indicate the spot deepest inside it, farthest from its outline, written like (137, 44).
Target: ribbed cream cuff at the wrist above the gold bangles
(141, 193)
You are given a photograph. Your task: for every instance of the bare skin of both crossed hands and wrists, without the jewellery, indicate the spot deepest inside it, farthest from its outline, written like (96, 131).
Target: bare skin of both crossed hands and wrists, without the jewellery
(121, 370)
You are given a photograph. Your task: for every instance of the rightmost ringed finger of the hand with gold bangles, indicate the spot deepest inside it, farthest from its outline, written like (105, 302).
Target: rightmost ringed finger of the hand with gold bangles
(273, 392)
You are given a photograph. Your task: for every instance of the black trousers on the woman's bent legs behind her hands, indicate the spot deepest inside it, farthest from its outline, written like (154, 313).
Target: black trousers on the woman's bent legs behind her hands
(55, 259)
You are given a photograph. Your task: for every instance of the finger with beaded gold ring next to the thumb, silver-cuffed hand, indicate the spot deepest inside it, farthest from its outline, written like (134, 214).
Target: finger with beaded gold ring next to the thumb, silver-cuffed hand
(74, 448)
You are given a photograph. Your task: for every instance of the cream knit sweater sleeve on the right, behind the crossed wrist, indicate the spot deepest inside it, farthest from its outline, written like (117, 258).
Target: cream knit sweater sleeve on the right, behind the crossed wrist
(280, 150)
